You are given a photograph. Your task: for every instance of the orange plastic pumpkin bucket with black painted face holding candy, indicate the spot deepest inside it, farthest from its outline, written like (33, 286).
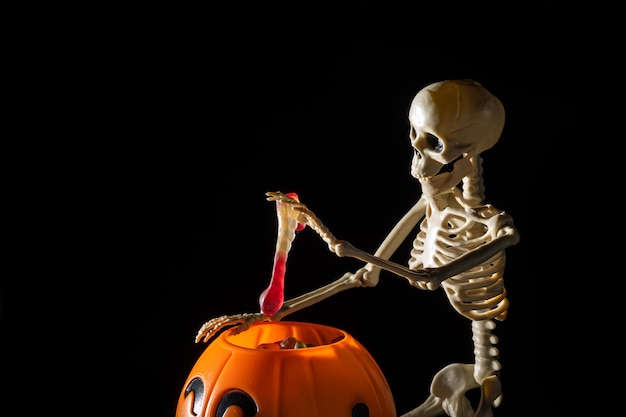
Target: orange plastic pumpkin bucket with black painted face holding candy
(327, 373)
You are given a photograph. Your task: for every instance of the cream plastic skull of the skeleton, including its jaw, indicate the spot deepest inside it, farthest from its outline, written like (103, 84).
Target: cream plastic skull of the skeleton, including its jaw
(451, 121)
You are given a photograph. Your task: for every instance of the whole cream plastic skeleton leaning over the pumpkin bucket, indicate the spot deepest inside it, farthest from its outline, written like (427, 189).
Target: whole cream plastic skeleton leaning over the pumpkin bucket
(459, 246)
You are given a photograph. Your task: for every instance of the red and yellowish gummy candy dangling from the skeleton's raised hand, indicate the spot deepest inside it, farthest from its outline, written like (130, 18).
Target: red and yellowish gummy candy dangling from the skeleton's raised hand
(272, 298)
